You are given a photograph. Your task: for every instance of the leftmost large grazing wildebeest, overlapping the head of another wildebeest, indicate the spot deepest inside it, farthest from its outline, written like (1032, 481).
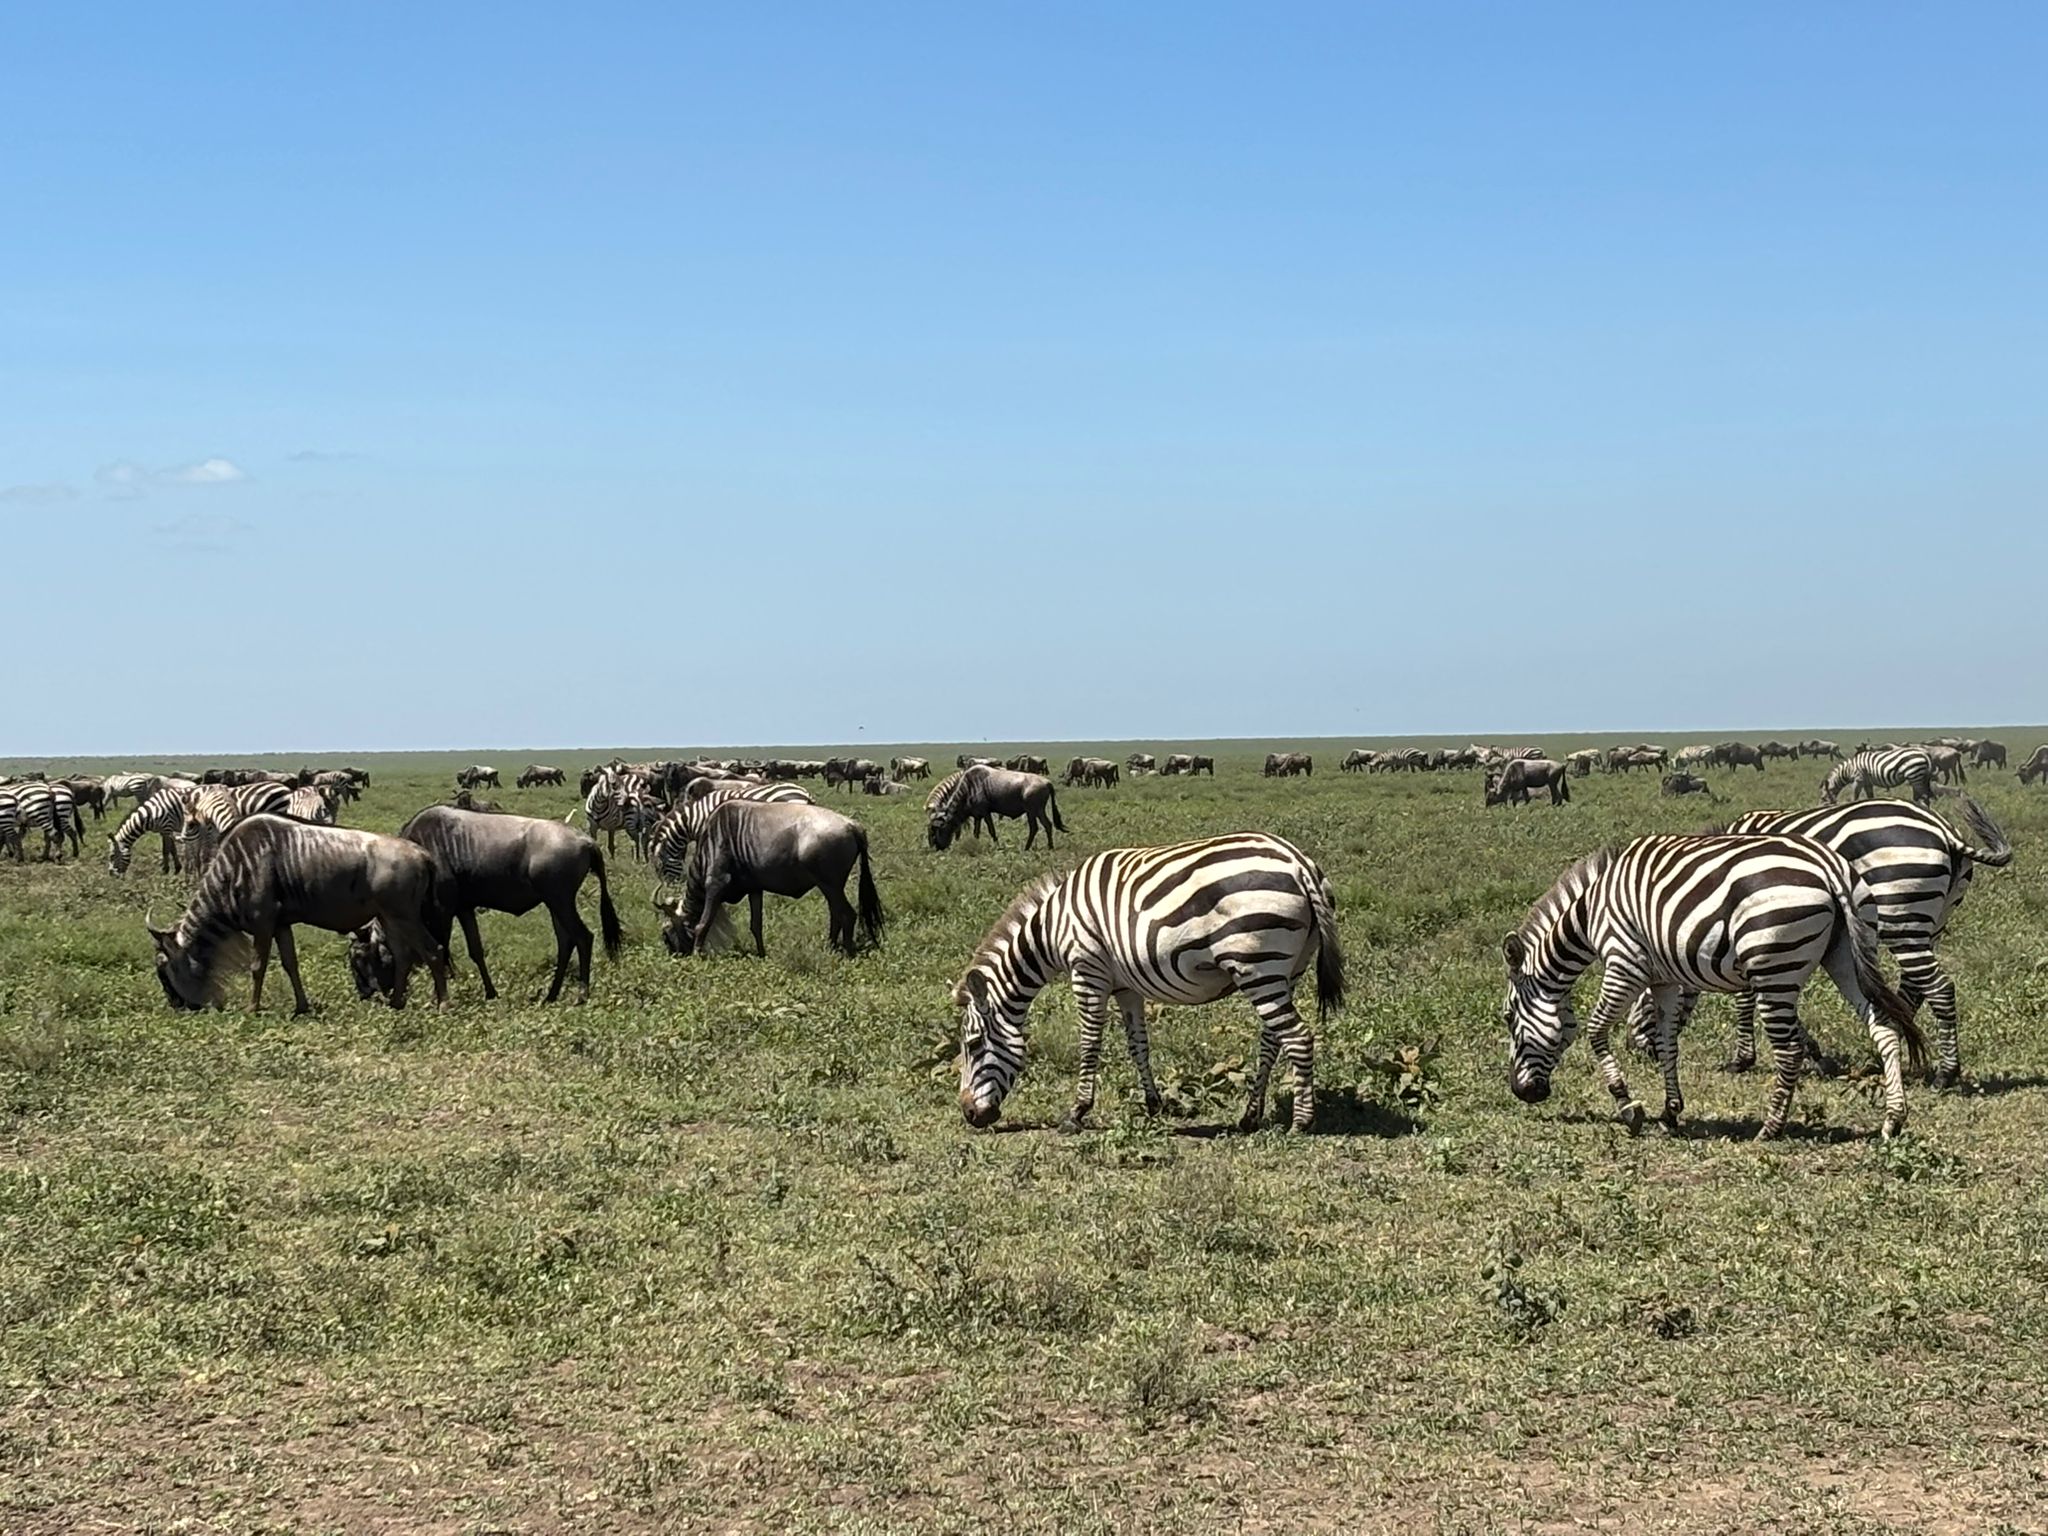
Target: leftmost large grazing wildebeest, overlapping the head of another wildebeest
(271, 873)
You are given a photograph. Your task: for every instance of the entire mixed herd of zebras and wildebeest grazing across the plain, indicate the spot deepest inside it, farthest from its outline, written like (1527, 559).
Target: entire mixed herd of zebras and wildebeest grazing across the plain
(1752, 910)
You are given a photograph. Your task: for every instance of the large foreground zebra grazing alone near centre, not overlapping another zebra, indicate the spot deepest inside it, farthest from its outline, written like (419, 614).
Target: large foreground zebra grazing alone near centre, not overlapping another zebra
(1181, 925)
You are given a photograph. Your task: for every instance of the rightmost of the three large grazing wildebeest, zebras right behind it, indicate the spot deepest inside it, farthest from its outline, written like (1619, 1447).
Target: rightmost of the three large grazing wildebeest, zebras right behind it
(753, 849)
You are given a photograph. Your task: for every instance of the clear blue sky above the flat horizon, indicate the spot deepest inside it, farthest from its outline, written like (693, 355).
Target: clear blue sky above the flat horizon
(464, 376)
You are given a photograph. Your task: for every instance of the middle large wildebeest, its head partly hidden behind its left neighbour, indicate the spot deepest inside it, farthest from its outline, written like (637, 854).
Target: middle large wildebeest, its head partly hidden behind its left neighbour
(501, 863)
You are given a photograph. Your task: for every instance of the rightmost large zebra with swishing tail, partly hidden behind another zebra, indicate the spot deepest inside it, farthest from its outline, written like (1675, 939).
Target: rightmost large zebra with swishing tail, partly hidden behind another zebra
(1918, 871)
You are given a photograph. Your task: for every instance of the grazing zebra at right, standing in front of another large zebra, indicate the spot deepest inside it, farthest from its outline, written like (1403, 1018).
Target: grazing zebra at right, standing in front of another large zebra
(1754, 914)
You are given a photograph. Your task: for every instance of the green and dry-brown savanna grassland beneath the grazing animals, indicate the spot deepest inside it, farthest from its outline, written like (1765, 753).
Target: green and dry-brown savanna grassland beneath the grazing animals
(718, 1252)
